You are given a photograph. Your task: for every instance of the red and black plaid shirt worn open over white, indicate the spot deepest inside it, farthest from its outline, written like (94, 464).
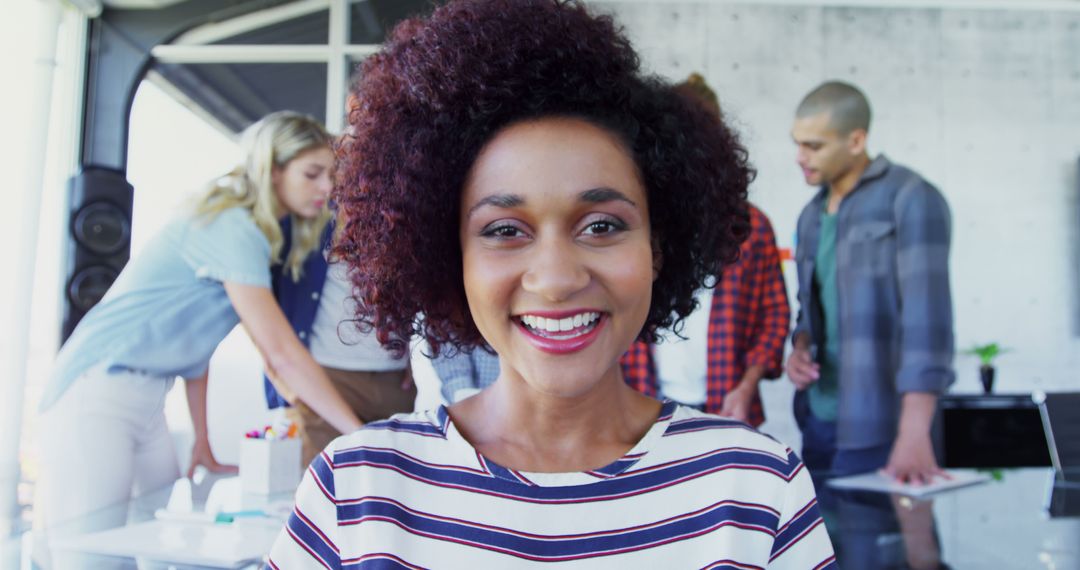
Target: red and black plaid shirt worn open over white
(748, 324)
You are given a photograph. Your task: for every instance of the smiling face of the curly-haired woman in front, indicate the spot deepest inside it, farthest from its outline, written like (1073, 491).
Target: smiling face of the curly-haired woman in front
(558, 255)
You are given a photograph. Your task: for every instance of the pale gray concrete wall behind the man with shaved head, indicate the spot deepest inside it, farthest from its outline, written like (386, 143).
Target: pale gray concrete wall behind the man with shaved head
(984, 103)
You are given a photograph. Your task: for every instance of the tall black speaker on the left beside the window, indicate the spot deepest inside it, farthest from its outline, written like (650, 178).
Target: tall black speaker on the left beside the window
(99, 240)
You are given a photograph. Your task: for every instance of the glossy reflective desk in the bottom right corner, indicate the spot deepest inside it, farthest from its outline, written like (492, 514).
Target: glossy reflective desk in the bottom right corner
(1002, 525)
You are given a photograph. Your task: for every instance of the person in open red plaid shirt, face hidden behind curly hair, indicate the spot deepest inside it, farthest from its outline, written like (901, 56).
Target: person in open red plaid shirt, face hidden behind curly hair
(745, 332)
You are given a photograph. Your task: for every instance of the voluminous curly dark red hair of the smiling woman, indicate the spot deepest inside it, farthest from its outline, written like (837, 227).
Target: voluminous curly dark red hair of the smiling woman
(443, 87)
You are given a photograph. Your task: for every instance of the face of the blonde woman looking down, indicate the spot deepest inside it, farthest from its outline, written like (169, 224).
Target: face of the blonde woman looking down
(304, 184)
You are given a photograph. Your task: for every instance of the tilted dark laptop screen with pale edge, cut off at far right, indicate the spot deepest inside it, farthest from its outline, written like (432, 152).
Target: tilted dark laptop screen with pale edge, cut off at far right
(1061, 424)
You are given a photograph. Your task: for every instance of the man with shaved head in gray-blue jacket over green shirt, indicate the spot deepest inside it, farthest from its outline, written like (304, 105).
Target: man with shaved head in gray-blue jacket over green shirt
(873, 346)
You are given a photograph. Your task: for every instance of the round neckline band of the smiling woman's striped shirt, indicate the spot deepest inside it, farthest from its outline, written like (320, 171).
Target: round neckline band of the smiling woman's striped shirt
(614, 469)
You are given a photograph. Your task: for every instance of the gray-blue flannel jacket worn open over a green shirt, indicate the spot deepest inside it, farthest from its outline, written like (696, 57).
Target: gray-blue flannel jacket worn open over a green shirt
(896, 305)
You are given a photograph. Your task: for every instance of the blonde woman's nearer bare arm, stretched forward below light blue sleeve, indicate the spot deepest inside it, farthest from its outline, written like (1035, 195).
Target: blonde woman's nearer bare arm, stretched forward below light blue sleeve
(287, 358)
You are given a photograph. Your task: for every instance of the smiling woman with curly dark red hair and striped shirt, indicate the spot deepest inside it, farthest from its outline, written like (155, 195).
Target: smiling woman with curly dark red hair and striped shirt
(504, 185)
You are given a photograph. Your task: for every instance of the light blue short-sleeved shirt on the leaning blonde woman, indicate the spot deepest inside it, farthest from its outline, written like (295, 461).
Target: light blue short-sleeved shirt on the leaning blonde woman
(168, 310)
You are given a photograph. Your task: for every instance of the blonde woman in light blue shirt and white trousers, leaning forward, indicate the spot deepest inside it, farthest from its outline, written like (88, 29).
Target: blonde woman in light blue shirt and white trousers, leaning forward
(104, 432)
